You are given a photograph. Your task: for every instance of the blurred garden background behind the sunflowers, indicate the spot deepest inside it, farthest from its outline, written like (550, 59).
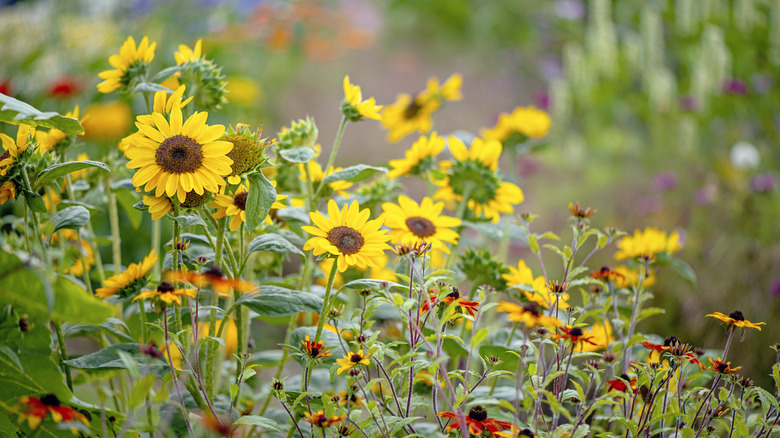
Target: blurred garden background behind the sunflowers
(665, 112)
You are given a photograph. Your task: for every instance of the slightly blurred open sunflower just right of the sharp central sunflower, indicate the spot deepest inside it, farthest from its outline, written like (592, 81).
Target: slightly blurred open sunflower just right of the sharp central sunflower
(411, 223)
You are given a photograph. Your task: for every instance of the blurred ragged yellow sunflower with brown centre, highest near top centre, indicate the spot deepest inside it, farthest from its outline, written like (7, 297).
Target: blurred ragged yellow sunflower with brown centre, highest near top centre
(409, 114)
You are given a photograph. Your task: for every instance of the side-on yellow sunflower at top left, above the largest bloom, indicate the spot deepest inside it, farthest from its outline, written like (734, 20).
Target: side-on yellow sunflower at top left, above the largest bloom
(131, 61)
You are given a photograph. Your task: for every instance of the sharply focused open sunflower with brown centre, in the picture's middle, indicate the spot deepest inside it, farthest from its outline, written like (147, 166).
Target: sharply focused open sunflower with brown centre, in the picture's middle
(347, 235)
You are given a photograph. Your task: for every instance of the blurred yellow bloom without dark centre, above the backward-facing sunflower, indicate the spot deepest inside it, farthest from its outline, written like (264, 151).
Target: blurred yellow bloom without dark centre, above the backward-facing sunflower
(521, 124)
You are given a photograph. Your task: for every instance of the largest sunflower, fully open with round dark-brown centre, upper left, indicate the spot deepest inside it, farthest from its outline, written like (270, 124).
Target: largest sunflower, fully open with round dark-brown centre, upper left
(175, 158)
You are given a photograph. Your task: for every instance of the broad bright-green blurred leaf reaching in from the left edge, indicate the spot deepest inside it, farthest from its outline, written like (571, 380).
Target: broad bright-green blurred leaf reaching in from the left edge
(29, 290)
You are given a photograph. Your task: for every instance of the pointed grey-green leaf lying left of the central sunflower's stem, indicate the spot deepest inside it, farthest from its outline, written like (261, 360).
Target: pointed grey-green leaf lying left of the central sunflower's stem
(275, 301)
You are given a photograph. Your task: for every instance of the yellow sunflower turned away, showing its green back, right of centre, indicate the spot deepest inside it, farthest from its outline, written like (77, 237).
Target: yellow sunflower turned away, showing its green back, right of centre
(474, 174)
